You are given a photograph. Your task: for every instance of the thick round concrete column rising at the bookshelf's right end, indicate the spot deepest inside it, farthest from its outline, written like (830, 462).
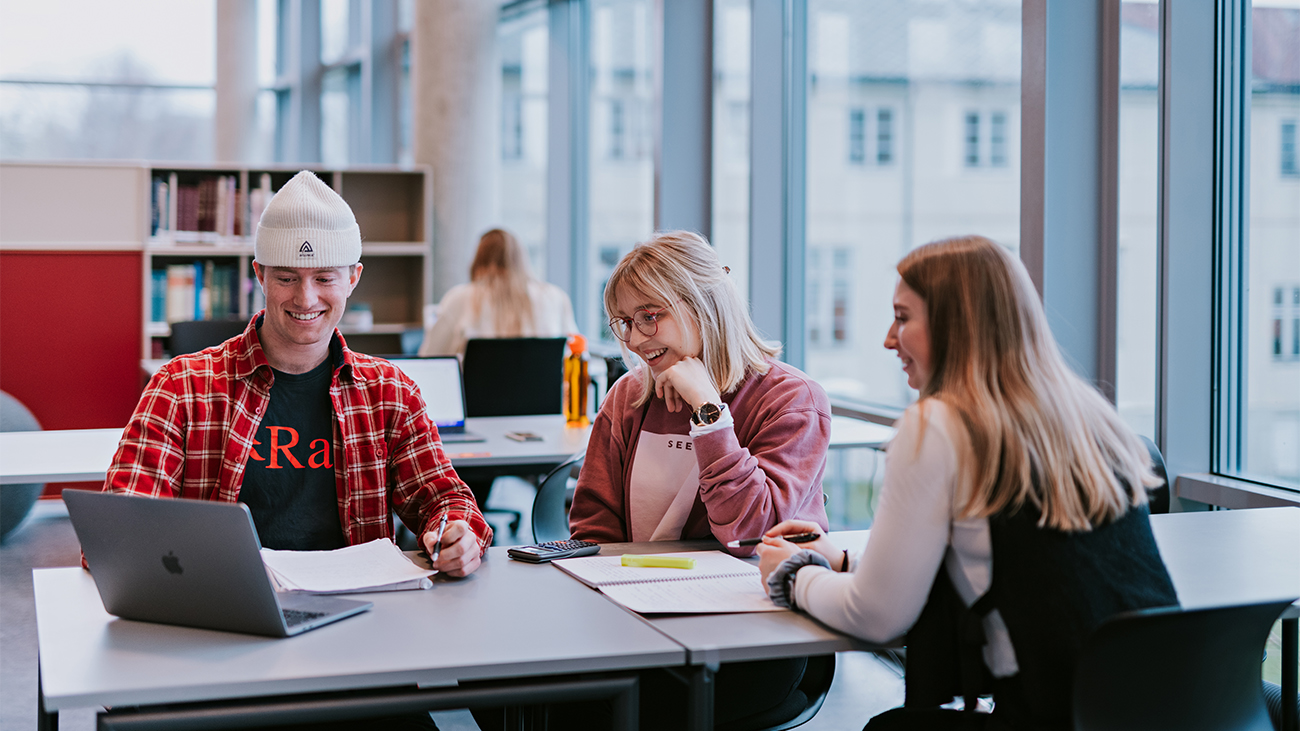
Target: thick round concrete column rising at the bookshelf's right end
(456, 98)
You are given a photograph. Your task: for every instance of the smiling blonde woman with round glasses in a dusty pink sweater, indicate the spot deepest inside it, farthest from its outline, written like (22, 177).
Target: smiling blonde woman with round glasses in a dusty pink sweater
(709, 436)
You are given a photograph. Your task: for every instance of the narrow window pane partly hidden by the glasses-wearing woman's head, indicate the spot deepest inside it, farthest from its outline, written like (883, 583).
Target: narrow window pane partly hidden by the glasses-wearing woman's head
(621, 146)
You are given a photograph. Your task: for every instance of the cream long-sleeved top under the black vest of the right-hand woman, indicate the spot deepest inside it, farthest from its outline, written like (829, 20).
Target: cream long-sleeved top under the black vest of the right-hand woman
(913, 534)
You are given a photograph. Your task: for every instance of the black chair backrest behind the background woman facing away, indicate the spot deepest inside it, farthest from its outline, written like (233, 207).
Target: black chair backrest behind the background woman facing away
(514, 377)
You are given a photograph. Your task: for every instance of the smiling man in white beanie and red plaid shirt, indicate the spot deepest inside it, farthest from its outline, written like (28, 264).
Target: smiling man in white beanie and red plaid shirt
(323, 444)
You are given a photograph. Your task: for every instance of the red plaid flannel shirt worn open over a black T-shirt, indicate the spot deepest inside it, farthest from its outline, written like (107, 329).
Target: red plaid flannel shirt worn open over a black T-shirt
(196, 425)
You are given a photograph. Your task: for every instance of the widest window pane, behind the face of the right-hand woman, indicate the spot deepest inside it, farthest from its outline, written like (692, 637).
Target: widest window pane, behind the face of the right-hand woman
(913, 135)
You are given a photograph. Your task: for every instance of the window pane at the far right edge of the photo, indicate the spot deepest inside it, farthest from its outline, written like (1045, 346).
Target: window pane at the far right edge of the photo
(1271, 444)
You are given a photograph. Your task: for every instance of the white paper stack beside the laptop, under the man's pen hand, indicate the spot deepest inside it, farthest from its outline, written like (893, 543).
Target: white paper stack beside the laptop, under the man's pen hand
(376, 566)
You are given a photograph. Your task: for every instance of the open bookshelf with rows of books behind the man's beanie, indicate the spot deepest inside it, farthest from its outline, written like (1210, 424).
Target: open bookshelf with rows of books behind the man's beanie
(198, 254)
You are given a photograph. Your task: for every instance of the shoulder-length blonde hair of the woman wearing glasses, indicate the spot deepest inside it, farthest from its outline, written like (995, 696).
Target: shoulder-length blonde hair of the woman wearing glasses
(683, 271)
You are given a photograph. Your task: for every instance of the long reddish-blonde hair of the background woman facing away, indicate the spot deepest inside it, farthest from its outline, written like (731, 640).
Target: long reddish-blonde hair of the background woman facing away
(501, 271)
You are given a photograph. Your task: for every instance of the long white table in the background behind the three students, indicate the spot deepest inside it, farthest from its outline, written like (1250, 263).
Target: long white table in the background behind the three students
(76, 456)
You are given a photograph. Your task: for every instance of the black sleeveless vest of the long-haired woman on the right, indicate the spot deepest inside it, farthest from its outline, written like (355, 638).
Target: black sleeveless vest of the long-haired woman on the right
(1052, 590)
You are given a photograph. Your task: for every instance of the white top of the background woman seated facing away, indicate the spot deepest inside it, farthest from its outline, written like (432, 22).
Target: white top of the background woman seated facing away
(457, 323)
